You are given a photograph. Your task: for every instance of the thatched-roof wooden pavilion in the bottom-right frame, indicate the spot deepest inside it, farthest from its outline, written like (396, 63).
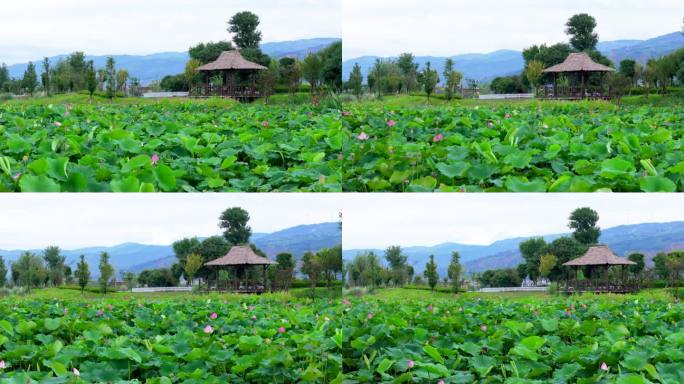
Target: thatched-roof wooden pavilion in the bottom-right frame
(595, 265)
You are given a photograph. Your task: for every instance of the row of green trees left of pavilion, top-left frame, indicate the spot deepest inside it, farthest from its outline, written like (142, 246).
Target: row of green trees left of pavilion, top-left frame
(72, 74)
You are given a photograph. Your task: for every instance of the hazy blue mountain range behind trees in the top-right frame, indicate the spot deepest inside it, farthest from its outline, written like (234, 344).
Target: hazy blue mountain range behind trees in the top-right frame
(486, 66)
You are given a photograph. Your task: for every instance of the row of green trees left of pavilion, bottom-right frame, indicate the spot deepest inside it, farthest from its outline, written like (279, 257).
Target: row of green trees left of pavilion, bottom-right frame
(368, 270)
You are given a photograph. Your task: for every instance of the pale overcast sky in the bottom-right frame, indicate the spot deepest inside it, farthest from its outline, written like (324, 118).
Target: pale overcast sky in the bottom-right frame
(380, 220)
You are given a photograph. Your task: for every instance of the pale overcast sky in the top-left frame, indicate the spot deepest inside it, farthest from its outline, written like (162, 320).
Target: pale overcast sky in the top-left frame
(30, 30)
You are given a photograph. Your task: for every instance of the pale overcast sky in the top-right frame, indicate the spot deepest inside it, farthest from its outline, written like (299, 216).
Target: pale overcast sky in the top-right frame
(450, 27)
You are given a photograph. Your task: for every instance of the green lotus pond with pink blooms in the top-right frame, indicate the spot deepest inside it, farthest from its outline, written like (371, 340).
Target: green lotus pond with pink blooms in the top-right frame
(518, 147)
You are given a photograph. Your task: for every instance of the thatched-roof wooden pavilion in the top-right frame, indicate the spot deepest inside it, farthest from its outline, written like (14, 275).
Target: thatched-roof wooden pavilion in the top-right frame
(578, 68)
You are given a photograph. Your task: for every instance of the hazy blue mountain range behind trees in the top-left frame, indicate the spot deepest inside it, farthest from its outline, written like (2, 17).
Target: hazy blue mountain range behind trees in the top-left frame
(152, 67)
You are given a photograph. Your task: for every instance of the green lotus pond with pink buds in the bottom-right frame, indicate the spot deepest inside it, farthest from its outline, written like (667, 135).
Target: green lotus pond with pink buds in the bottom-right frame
(447, 339)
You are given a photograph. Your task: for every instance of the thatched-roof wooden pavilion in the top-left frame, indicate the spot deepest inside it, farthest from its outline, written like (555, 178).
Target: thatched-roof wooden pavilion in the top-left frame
(238, 77)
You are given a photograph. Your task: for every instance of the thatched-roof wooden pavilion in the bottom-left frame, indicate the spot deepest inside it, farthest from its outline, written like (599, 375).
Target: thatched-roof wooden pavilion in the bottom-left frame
(239, 258)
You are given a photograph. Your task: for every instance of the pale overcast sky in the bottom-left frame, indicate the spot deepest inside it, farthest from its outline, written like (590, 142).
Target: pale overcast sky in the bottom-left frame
(79, 220)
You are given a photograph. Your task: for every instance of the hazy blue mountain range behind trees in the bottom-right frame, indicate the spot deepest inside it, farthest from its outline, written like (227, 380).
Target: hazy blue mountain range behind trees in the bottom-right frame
(647, 238)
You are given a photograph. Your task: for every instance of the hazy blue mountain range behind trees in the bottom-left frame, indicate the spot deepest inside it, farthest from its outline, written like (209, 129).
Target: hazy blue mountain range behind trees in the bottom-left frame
(137, 257)
